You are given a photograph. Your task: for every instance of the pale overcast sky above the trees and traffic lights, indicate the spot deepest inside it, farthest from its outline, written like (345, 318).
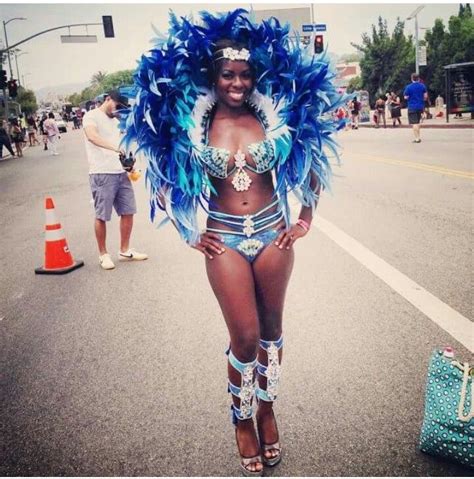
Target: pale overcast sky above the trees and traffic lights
(48, 62)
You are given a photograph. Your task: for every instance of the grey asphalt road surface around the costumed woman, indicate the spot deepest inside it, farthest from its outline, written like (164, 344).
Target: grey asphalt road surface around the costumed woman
(123, 372)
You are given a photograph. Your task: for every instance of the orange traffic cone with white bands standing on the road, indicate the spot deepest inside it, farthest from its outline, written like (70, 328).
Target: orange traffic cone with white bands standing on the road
(58, 258)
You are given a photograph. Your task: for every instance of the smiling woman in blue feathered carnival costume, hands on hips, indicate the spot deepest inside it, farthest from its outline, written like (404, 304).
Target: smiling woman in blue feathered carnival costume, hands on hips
(232, 116)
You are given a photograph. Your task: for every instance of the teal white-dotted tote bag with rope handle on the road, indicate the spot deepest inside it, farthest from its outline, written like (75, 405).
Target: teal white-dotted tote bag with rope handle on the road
(448, 424)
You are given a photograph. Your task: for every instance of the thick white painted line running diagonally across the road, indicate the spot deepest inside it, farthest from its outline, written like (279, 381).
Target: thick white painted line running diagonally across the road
(454, 323)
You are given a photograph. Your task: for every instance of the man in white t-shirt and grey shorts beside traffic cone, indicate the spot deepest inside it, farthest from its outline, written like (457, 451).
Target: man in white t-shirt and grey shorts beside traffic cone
(110, 184)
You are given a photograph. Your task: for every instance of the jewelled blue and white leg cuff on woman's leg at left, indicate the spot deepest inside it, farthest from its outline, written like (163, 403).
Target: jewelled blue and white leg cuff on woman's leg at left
(246, 391)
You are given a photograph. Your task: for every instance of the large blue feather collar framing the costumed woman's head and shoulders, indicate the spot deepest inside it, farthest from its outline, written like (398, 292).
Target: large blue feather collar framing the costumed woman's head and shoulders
(294, 93)
